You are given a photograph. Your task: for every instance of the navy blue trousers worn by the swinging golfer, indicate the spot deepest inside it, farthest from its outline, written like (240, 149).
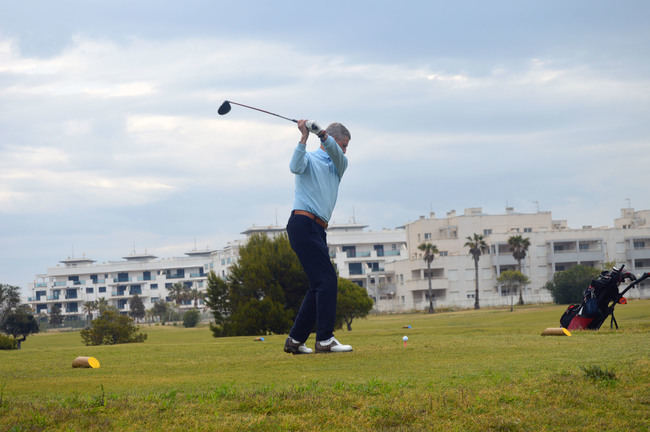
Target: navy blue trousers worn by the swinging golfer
(309, 241)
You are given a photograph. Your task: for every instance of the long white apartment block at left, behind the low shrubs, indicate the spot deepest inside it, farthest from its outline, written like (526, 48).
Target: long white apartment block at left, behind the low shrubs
(78, 280)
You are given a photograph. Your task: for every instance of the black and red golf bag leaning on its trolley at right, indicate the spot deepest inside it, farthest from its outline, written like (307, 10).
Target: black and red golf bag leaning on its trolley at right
(599, 301)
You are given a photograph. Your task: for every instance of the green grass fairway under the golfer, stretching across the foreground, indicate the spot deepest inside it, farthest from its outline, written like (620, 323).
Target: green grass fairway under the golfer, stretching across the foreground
(460, 371)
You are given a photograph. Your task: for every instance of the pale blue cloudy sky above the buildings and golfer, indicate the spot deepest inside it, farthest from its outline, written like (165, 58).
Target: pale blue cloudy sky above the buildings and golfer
(109, 138)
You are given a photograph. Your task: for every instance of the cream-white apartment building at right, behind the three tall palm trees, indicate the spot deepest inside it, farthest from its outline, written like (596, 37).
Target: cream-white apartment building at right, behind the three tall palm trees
(553, 247)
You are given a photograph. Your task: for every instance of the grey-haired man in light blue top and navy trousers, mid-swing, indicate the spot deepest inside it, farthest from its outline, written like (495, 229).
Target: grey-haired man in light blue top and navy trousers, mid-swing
(318, 175)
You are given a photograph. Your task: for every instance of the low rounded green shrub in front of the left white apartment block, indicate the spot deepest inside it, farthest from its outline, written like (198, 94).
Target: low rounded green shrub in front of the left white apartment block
(112, 328)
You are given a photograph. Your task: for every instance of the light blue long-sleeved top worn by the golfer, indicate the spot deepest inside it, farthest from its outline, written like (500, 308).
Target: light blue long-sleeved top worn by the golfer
(318, 175)
